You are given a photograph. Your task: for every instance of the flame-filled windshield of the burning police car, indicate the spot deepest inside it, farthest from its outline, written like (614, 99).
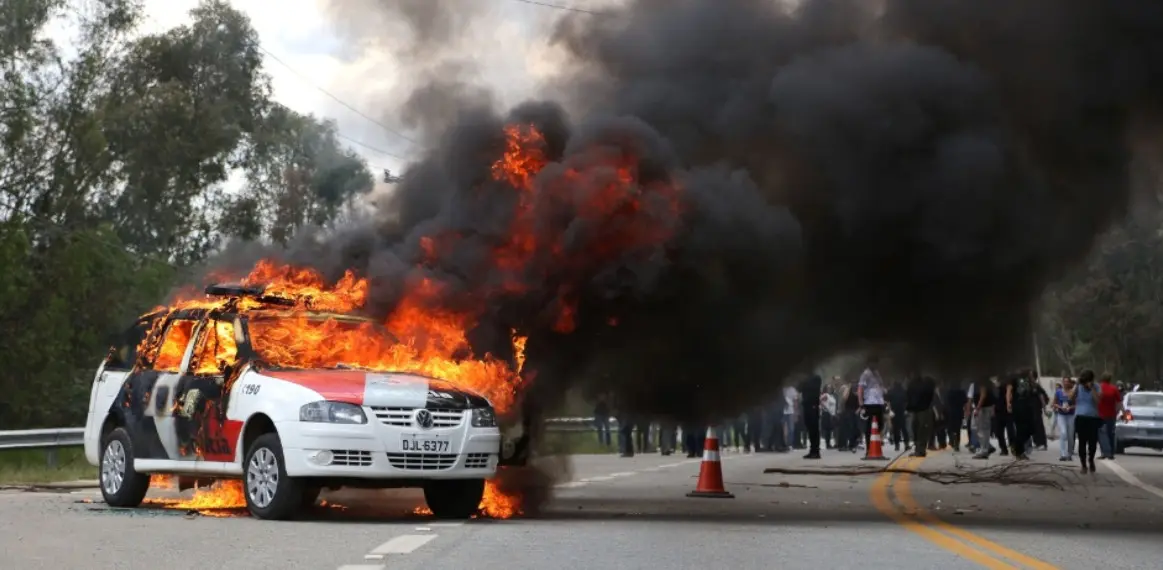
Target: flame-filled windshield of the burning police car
(320, 341)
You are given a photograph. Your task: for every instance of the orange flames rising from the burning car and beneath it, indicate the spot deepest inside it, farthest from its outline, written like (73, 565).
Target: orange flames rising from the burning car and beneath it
(313, 329)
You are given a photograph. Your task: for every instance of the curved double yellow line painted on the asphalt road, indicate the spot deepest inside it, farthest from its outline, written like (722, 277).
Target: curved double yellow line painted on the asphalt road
(930, 528)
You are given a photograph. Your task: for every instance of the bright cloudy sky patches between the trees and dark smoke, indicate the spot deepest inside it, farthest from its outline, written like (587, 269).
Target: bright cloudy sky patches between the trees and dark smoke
(508, 42)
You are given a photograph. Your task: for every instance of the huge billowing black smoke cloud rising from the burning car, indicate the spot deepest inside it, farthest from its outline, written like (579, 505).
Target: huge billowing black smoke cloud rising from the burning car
(911, 173)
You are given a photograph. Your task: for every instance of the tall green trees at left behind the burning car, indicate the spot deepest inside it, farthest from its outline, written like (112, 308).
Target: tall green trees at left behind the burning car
(116, 155)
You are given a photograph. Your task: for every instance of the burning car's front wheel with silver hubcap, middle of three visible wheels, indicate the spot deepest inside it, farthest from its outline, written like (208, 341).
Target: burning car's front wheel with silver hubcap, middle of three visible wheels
(279, 500)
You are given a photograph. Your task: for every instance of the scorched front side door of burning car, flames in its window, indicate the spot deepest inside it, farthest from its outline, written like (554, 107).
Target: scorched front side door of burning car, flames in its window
(202, 402)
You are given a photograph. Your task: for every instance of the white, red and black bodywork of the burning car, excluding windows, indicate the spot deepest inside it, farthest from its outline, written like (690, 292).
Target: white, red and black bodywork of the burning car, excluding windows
(415, 430)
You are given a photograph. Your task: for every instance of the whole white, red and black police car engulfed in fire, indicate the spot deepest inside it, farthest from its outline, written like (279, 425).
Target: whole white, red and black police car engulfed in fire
(206, 393)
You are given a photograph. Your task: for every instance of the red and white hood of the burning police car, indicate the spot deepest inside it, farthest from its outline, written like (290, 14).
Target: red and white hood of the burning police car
(382, 389)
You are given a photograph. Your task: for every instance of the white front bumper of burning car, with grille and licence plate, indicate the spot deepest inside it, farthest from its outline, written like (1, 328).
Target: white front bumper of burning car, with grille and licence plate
(375, 452)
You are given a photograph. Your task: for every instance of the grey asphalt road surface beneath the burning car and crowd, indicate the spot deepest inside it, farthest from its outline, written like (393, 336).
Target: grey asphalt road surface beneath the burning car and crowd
(633, 514)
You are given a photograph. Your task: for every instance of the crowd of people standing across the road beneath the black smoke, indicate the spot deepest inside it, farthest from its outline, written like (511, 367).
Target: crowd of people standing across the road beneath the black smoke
(919, 415)
